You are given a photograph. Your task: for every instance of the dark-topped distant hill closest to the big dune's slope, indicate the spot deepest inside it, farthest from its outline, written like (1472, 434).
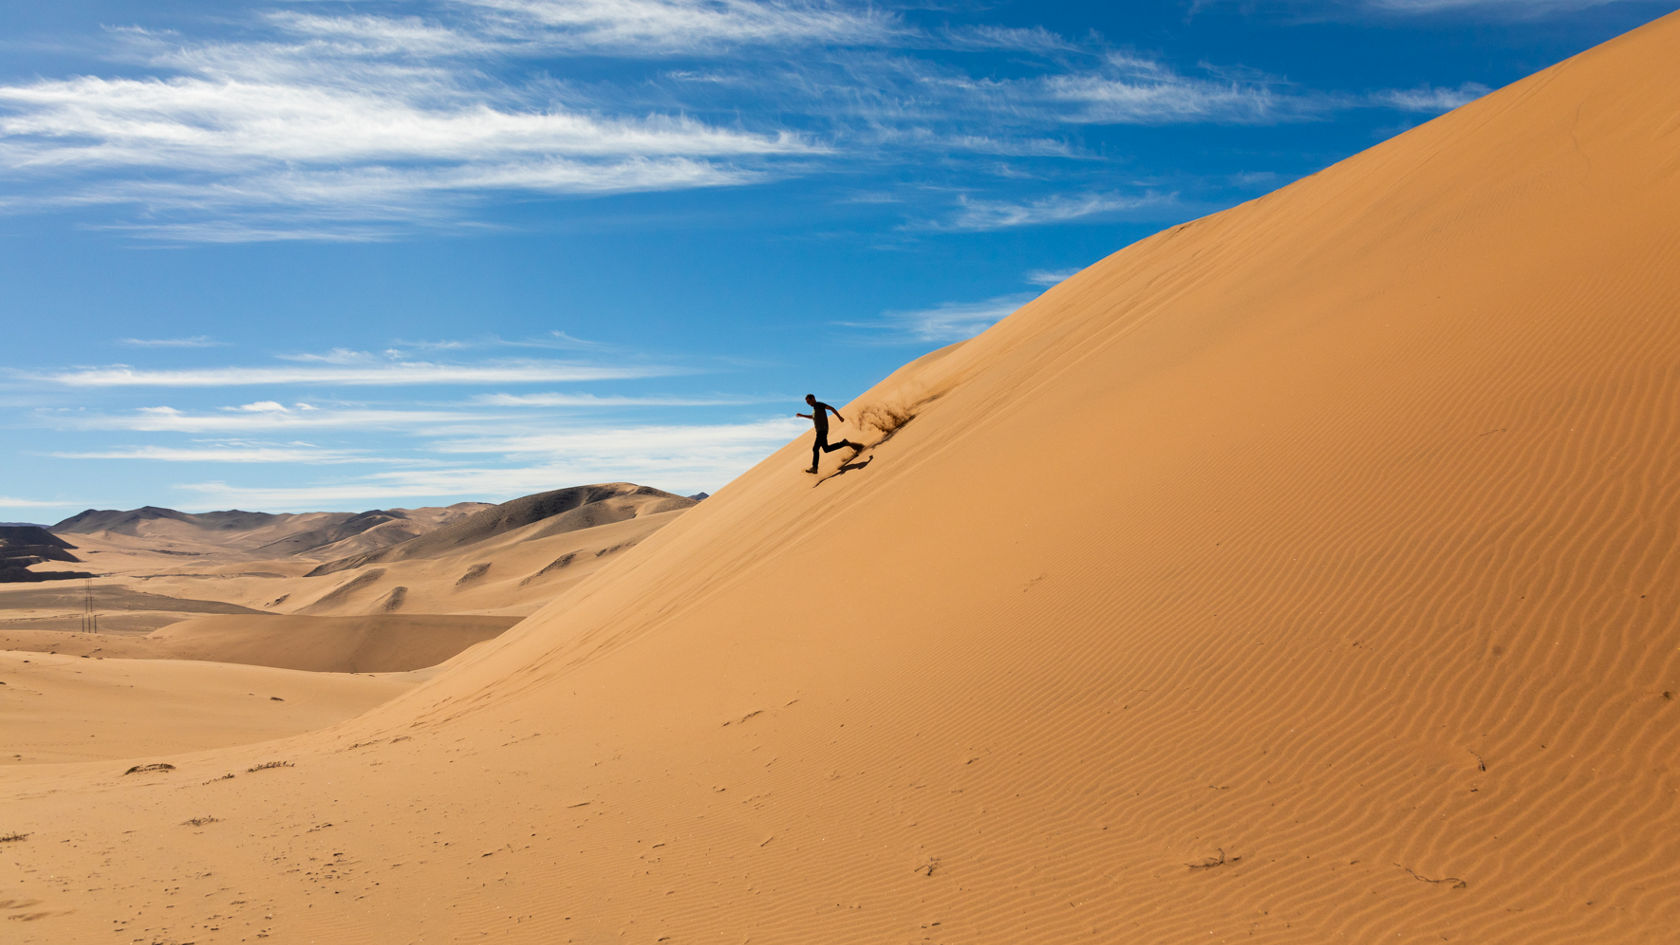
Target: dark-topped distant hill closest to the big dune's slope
(565, 510)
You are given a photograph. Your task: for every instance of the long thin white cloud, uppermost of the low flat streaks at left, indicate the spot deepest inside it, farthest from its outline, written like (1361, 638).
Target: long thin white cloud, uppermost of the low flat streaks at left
(381, 374)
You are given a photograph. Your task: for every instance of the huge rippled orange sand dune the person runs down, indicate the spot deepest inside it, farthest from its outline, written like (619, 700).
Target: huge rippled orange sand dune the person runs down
(1335, 599)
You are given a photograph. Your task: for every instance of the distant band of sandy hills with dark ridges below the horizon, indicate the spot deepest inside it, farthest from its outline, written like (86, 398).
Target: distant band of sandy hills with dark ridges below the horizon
(518, 556)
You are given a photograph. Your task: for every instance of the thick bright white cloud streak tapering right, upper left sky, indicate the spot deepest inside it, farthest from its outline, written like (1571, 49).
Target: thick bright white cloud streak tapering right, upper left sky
(228, 125)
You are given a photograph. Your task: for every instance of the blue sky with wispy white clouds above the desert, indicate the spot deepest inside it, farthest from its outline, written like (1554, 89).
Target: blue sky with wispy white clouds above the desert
(350, 255)
